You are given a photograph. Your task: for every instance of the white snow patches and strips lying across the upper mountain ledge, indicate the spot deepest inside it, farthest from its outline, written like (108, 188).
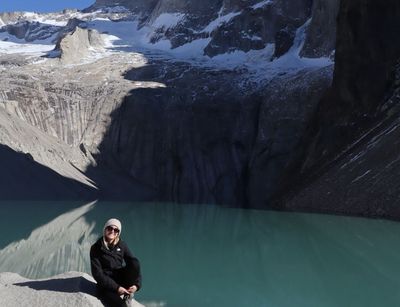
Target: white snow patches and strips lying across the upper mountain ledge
(127, 37)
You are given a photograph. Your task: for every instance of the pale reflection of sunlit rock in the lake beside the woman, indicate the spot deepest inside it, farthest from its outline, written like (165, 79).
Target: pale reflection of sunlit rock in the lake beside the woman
(58, 246)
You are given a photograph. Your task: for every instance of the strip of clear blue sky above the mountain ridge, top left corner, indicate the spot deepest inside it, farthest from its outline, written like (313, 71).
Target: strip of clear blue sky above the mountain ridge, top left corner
(42, 5)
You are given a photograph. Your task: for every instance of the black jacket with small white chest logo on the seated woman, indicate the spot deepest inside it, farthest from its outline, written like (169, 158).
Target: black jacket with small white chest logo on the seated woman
(105, 264)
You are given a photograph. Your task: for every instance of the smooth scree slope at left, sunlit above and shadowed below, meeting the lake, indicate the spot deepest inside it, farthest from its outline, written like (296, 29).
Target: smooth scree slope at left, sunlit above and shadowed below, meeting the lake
(36, 166)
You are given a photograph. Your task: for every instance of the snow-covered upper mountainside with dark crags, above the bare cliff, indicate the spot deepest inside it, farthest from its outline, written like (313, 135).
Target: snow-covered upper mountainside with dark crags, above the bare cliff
(232, 31)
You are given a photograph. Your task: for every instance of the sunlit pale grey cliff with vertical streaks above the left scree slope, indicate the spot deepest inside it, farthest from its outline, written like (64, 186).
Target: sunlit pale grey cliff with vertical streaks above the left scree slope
(73, 109)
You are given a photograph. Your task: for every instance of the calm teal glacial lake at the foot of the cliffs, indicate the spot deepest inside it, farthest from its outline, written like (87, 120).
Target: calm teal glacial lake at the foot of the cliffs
(194, 255)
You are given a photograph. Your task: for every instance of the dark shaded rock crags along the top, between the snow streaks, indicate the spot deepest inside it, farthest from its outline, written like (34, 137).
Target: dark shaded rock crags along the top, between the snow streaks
(251, 29)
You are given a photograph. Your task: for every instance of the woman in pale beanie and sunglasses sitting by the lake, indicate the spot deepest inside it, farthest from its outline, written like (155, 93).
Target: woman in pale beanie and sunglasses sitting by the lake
(115, 269)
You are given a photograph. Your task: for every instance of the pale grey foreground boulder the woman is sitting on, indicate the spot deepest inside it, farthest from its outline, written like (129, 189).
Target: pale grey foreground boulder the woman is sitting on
(69, 289)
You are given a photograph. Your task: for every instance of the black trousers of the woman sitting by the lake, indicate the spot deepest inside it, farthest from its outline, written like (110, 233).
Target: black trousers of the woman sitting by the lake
(125, 277)
